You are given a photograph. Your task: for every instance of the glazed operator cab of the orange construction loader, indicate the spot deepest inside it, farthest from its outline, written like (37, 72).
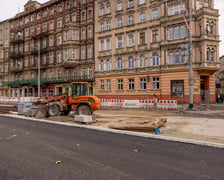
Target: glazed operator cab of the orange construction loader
(79, 89)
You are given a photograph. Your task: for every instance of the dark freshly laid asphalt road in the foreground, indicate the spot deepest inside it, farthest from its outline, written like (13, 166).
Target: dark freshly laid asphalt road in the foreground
(31, 150)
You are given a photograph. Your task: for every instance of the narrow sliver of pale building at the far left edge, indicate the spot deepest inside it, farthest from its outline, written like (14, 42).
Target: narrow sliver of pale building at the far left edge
(4, 55)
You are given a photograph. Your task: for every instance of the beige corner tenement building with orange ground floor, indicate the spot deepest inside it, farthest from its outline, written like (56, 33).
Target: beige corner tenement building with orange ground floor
(142, 48)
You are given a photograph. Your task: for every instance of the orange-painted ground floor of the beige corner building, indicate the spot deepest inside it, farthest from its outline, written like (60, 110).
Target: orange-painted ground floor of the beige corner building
(166, 85)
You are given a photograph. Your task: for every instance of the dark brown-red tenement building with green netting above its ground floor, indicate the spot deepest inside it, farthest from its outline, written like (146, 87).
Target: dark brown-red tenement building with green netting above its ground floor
(55, 38)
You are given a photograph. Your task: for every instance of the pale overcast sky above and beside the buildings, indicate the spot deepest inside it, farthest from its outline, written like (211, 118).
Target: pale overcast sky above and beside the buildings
(9, 8)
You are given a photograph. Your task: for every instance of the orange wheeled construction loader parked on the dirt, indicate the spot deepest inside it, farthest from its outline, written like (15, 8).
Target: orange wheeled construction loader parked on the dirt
(79, 101)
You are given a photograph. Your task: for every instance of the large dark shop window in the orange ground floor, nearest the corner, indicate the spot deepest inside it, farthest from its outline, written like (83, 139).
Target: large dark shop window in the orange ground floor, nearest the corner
(177, 88)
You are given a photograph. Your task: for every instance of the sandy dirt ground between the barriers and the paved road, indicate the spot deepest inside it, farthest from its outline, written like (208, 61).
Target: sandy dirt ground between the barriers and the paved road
(189, 125)
